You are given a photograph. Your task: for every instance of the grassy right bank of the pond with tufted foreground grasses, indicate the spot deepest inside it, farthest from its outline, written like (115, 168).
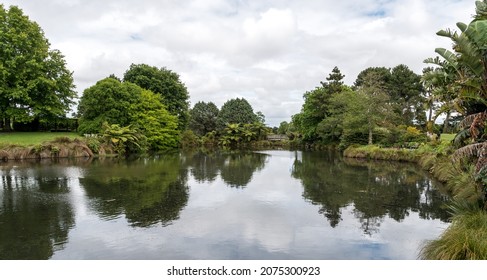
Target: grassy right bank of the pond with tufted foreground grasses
(466, 237)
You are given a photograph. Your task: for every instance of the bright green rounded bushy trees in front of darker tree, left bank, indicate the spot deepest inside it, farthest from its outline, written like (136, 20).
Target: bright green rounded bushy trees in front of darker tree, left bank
(126, 104)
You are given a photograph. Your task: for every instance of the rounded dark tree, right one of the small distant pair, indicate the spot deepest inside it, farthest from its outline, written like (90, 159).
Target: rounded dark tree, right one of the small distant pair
(234, 111)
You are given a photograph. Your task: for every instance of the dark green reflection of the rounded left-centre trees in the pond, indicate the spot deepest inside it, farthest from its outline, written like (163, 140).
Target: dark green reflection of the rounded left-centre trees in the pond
(146, 191)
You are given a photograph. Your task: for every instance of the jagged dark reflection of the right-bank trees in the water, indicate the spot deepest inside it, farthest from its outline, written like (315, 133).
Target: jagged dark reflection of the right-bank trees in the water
(375, 189)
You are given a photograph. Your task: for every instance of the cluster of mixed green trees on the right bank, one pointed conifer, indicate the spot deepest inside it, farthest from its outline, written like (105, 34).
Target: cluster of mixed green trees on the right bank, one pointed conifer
(380, 100)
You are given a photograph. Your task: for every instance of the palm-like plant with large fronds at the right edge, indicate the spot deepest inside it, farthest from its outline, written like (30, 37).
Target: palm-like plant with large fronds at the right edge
(466, 69)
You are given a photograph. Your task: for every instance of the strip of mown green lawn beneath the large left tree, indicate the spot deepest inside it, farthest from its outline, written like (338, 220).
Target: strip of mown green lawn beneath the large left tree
(32, 138)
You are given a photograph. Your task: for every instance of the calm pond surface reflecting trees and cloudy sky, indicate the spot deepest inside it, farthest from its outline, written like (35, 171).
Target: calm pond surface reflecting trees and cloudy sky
(240, 205)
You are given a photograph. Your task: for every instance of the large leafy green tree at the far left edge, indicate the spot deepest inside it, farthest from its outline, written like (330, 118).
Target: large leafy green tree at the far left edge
(34, 80)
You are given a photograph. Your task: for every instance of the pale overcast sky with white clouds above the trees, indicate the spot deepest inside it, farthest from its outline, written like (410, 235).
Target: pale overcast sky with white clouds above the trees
(269, 52)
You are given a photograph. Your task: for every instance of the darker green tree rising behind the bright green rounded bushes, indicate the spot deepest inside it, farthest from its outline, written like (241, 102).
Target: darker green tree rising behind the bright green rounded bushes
(166, 83)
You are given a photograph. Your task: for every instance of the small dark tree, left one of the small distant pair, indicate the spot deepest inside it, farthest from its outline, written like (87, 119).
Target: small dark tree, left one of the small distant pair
(203, 118)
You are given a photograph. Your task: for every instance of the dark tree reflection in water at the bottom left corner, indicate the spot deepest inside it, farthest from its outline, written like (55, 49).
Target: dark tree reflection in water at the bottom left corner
(35, 212)
